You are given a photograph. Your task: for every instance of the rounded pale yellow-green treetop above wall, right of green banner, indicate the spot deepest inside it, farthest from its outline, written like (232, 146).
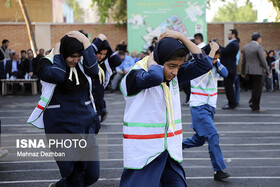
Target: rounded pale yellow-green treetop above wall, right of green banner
(232, 13)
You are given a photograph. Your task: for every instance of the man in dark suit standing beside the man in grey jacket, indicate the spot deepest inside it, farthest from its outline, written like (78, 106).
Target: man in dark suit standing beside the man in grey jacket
(228, 59)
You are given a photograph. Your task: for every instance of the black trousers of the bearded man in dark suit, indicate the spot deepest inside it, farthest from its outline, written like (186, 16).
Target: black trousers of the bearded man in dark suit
(230, 93)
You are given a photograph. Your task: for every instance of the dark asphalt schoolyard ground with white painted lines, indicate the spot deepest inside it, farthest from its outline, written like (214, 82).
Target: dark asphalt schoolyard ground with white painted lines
(250, 143)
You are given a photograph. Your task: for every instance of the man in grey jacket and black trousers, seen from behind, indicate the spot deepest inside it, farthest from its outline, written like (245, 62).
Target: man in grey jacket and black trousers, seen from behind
(254, 65)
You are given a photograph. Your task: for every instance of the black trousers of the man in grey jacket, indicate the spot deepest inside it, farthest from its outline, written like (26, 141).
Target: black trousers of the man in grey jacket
(256, 81)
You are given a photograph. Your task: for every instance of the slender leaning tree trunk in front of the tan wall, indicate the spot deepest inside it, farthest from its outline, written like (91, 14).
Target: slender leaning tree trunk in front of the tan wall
(28, 24)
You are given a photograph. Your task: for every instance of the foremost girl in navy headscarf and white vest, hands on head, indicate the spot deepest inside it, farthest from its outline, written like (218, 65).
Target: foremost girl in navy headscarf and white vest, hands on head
(152, 130)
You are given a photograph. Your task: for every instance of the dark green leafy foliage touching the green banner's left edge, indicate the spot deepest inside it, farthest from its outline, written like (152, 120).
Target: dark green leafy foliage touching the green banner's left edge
(115, 9)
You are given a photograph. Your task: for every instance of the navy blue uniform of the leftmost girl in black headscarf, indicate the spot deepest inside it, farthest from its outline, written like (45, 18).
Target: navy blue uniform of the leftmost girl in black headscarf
(70, 111)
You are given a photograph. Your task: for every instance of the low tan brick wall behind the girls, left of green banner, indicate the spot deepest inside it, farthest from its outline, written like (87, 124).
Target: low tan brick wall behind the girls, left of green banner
(46, 37)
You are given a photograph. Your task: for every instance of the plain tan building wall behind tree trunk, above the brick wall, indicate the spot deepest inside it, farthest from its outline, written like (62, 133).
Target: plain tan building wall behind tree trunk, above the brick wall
(38, 10)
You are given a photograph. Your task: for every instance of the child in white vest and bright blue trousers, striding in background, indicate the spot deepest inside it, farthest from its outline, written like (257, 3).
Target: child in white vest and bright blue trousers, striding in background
(203, 103)
